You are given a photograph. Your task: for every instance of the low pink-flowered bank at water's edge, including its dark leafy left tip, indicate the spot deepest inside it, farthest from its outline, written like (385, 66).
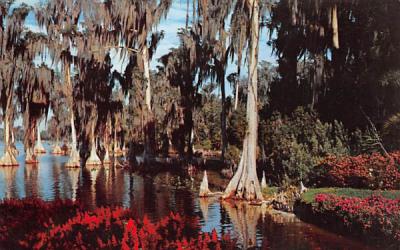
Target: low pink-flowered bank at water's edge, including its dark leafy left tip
(373, 217)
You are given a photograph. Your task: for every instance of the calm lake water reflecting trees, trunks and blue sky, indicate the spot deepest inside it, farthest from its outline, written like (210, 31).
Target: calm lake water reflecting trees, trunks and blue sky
(156, 196)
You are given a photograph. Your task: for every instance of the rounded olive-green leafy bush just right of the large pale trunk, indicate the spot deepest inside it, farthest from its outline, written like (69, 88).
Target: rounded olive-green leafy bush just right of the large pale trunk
(294, 144)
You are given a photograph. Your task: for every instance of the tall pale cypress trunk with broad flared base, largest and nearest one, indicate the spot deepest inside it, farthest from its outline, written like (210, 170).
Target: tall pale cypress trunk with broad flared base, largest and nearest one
(245, 183)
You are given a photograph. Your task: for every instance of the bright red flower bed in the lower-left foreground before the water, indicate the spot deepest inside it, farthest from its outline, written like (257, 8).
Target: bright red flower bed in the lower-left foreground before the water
(111, 228)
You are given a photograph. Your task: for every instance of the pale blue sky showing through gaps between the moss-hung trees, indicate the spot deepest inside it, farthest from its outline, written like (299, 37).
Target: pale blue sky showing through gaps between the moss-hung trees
(175, 20)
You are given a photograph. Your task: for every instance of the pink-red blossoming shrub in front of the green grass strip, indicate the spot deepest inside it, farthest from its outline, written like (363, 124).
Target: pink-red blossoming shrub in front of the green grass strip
(375, 215)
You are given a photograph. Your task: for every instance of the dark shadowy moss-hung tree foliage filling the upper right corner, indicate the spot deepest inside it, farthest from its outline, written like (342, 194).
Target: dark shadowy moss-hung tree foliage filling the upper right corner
(362, 72)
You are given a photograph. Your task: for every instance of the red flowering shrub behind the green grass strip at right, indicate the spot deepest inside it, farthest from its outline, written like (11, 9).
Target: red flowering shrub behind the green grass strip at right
(364, 171)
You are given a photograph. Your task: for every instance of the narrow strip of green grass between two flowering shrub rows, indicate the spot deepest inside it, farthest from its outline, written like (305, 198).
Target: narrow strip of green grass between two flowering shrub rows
(309, 196)
